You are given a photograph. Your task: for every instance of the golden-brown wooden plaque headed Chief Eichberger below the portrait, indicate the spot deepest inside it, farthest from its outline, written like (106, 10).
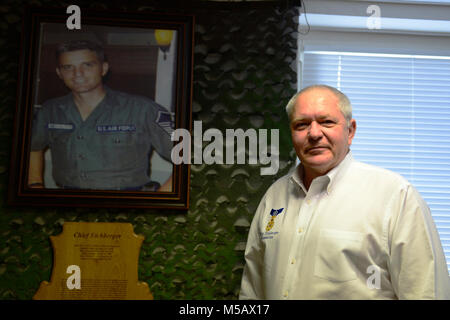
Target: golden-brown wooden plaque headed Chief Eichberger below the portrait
(95, 261)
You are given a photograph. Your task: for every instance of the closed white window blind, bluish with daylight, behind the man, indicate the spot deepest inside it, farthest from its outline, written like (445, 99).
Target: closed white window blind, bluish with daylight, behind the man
(402, 107)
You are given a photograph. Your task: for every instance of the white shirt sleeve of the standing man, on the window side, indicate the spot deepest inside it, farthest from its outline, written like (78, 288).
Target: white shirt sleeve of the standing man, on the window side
(417, 262)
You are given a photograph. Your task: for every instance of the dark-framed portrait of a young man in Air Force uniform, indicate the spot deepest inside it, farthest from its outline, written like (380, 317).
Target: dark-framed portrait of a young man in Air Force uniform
(96, 107)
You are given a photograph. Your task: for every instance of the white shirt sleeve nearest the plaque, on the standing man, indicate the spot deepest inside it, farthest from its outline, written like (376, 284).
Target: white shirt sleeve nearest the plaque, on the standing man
(252, 280)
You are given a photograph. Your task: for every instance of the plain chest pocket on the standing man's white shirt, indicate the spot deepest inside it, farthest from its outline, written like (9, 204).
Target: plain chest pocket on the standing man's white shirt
(336, 255)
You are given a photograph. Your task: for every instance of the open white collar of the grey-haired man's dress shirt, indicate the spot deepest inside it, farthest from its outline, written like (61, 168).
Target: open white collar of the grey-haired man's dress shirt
(327, 181)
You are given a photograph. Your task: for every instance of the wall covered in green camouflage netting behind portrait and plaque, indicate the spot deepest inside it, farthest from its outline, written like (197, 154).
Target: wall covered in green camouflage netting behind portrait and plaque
(242, 79)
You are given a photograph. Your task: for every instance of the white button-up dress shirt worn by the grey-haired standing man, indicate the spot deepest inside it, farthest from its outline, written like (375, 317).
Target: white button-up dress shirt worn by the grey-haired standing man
(359, 232)
